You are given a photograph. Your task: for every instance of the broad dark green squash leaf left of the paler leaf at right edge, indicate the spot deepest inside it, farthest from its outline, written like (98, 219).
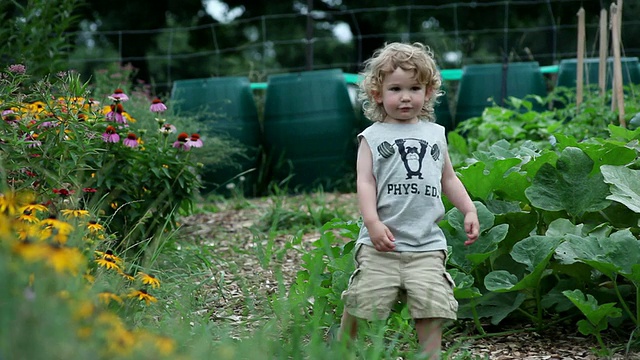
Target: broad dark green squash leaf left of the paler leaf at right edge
(568, 186)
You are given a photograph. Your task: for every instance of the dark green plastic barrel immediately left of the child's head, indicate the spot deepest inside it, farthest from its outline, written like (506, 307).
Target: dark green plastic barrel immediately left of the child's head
(309, 129)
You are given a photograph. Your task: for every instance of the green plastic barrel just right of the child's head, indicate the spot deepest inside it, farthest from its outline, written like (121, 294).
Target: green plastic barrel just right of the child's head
(481, 86)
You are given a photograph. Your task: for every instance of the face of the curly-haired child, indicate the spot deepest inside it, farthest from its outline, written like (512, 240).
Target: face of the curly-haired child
(402, 96)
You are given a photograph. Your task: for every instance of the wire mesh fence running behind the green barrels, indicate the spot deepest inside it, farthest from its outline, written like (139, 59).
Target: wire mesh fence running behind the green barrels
(460, 33)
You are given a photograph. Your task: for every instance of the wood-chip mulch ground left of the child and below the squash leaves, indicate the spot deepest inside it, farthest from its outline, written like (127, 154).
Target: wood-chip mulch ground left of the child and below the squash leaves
(244, 279)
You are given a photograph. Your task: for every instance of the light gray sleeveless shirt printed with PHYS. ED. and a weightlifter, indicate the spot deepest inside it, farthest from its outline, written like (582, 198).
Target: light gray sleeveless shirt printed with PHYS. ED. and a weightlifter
(408, 160)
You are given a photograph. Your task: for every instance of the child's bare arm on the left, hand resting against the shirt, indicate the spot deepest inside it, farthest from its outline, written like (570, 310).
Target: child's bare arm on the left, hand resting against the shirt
(381, 236)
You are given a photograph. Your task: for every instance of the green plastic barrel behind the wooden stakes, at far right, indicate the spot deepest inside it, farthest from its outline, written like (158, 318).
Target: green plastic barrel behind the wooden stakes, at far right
(567, 72)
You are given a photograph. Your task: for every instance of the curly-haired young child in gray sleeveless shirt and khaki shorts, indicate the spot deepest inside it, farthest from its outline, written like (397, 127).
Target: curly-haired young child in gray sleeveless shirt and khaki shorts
(403, 168)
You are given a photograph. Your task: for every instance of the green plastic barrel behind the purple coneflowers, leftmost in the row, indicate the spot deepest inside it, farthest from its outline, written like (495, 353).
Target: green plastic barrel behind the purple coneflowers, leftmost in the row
(226, 108)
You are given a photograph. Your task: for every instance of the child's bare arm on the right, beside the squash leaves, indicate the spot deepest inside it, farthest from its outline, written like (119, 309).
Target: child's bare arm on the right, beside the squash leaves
(454, 190)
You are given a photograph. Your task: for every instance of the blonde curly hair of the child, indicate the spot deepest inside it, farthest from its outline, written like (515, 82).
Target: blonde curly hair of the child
(414, 57)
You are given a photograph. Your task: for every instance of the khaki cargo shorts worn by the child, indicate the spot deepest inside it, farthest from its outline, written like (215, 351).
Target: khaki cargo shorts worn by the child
(383, 278)
